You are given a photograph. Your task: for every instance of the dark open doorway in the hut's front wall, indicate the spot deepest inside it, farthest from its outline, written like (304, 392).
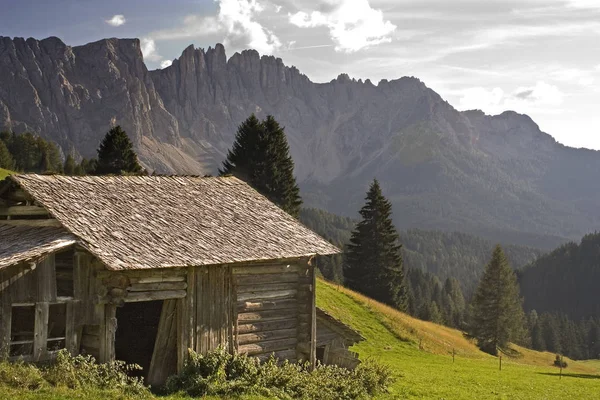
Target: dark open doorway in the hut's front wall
(137, 326)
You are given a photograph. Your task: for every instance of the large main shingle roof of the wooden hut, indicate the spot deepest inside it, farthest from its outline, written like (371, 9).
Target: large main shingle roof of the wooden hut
(158, 222)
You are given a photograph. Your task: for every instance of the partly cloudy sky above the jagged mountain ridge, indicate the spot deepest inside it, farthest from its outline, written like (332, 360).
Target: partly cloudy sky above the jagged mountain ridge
(536, 57)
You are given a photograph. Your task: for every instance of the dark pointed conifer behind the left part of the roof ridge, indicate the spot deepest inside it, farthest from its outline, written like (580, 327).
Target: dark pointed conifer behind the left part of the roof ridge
(116, 155)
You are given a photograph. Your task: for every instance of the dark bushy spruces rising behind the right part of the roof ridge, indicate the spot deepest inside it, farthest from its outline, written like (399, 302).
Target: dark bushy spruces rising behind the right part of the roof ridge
(261, 156)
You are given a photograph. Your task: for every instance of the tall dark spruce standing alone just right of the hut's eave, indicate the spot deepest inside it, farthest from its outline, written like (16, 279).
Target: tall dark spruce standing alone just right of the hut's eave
(373, 259)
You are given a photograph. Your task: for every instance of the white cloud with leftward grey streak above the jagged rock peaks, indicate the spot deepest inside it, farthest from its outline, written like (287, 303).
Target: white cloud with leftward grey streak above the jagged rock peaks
(236, 21)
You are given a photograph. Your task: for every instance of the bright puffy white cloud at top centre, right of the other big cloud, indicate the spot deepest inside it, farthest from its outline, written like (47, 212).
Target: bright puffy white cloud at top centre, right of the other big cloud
(353, 24)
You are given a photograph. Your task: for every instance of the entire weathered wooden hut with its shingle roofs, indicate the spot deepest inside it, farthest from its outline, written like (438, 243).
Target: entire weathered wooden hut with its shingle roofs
(144, 268)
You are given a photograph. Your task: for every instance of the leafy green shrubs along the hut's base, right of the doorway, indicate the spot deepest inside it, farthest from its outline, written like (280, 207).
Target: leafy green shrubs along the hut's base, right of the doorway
(222, 374)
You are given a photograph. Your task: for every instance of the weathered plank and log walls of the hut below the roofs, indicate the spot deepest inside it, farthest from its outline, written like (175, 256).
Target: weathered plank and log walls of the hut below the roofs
(257, 308)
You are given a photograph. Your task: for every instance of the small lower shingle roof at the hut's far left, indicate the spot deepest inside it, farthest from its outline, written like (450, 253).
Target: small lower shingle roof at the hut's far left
(21, 244)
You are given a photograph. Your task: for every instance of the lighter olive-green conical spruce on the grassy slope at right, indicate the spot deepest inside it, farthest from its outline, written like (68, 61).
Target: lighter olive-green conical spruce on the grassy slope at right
(498, 316)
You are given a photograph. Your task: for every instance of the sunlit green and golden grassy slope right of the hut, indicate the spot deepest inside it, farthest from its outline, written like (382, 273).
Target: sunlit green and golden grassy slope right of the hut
(393, 338)
